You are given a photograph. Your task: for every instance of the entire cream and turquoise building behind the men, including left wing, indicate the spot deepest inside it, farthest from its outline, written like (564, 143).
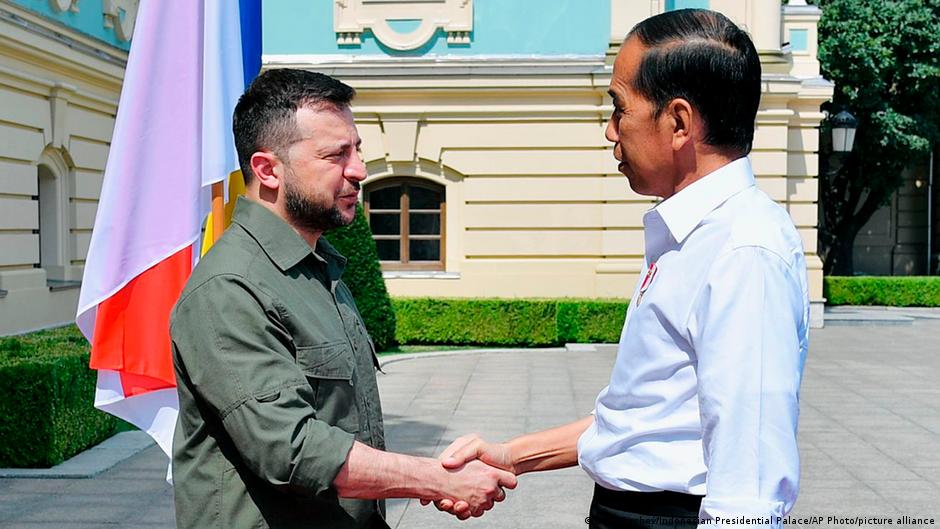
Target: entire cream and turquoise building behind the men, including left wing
(483, 132)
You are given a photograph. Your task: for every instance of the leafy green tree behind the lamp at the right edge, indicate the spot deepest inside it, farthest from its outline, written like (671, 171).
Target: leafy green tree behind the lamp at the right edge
(884, 57)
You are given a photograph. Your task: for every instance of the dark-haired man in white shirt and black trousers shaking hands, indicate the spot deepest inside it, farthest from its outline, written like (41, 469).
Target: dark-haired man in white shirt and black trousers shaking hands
(698, 423)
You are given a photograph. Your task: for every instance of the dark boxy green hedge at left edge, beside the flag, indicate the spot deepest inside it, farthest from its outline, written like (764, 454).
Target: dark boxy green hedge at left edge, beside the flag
(47, 395)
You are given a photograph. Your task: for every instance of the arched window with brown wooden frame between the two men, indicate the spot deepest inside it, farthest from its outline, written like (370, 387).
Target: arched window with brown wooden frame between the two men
(407, 220)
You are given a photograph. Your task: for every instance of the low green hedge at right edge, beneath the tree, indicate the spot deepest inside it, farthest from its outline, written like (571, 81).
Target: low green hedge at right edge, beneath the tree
(891, 291)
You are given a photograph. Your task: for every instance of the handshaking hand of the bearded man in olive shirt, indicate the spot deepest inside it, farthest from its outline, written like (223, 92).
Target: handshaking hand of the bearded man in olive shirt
(475, 487)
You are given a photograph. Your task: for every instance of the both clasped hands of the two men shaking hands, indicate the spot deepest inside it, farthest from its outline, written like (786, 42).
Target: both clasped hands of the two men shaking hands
(484, 468)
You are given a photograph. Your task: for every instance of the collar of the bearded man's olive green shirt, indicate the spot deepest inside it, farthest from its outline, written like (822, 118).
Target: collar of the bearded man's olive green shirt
(284, 246)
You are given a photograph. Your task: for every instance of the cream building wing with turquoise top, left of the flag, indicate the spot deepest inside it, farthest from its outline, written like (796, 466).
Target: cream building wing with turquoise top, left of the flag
(59, 88)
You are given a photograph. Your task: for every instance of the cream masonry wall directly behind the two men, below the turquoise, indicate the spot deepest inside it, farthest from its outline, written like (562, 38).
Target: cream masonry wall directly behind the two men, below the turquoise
(514, 148)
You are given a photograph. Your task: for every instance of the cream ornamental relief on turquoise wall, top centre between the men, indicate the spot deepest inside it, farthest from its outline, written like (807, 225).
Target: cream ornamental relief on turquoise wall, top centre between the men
(402, 24)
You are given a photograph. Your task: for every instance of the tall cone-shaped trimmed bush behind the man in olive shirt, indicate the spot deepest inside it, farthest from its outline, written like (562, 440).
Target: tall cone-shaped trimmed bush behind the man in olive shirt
(363, 276)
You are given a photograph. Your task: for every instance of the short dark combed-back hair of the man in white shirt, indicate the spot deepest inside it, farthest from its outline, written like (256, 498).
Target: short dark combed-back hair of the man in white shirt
(704, 58)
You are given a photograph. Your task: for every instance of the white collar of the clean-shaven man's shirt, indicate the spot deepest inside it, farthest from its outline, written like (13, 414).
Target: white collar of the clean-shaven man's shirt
(684, 211)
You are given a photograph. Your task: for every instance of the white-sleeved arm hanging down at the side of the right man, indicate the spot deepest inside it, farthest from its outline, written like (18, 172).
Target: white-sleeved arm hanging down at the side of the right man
(746, 329)
